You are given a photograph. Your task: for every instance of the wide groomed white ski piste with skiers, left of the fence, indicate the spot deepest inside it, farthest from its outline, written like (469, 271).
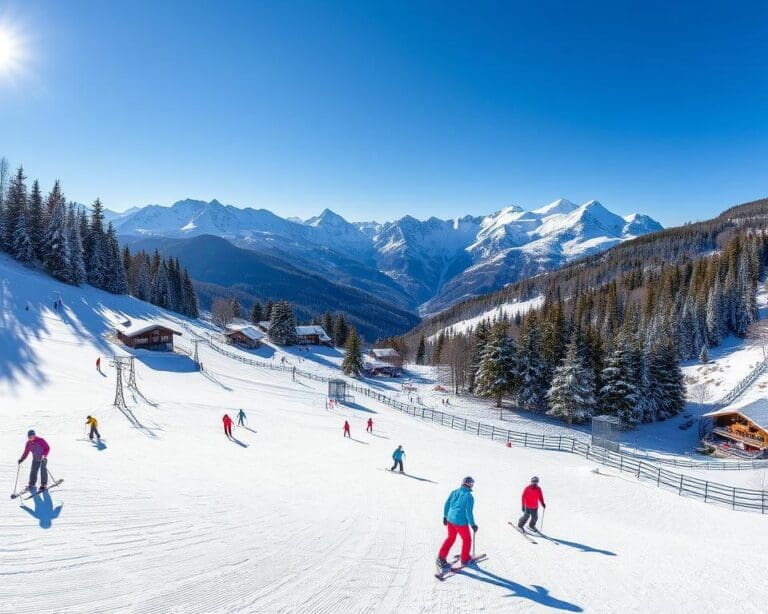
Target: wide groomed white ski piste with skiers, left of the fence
(168, 515)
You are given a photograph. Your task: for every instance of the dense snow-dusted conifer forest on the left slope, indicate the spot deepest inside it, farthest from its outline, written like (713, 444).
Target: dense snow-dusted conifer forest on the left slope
(76, 247)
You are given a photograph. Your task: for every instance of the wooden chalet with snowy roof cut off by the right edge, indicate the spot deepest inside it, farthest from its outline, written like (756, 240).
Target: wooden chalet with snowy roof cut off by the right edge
(739, 431)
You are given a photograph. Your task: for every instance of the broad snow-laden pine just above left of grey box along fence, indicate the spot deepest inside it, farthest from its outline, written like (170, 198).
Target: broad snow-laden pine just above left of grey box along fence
(571, 395)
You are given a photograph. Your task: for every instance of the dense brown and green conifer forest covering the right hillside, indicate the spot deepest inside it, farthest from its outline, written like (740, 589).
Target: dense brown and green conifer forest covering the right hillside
(613, 328)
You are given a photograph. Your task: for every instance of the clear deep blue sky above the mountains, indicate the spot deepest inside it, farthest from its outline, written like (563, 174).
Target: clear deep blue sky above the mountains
(385, 108)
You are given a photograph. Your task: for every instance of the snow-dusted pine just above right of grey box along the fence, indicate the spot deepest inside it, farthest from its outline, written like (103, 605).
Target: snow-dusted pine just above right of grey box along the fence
(619, 395)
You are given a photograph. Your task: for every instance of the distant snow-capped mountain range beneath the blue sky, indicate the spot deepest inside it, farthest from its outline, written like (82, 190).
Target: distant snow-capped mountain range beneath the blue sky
(417, 265)
